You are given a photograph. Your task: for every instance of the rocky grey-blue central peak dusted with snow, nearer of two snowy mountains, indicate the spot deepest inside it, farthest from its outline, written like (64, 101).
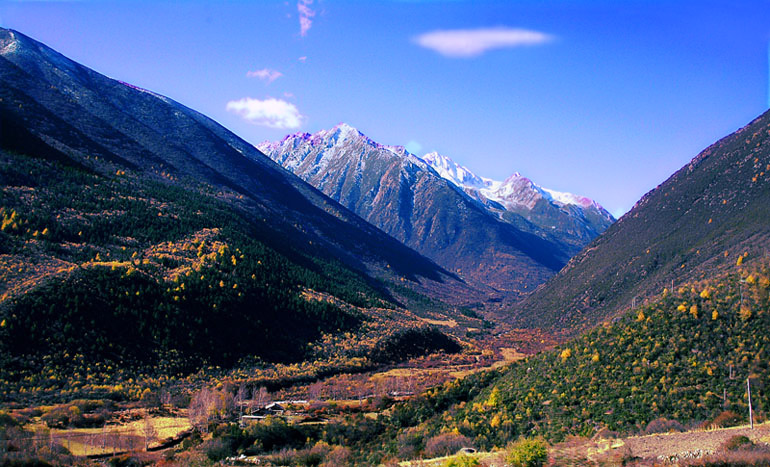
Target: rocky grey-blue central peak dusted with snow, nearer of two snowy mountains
(402, 195)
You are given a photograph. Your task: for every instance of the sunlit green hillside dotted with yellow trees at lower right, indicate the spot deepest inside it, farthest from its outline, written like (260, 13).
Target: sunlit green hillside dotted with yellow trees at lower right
(684, 357)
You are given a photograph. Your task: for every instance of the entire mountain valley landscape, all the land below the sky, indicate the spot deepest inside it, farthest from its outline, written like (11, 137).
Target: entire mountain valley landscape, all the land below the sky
(171, 294)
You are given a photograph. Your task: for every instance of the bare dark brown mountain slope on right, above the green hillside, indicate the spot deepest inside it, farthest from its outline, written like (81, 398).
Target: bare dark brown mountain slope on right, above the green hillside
(708, 216)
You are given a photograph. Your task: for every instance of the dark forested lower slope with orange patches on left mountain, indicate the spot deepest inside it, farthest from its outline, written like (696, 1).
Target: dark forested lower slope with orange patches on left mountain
(134, 273)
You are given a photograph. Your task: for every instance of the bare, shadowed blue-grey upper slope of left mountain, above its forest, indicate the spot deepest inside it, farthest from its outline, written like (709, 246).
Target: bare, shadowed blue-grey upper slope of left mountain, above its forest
(68, 111)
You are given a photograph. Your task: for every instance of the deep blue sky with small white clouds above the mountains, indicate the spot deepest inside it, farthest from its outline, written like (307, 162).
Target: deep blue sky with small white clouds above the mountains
(602, 98)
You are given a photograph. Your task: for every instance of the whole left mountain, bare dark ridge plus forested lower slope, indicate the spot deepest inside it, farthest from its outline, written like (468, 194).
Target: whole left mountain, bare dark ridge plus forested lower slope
(136, 231)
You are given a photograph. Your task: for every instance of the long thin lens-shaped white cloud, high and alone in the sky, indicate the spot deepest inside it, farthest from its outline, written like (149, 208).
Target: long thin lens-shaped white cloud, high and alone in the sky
(465, 43)
